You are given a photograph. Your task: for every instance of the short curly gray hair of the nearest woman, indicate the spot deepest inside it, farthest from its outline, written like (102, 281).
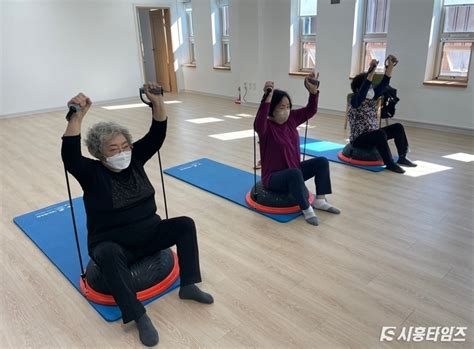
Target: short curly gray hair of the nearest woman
(101, 133)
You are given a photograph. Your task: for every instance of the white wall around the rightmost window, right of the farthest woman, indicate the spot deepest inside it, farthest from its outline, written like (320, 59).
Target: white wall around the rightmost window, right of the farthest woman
(408, 38)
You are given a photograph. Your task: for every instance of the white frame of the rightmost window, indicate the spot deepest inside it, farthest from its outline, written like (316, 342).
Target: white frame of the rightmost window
(451, 37)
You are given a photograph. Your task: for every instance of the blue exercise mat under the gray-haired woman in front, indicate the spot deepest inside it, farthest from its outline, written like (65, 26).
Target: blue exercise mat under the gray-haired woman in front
(51, 229)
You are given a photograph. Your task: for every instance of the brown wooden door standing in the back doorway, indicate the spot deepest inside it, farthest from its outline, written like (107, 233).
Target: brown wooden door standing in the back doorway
(163, 49)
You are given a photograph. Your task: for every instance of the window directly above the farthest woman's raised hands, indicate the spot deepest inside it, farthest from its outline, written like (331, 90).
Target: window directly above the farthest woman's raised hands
(375, 33)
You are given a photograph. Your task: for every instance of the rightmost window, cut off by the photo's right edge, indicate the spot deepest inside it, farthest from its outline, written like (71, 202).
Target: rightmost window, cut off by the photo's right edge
(456, 40)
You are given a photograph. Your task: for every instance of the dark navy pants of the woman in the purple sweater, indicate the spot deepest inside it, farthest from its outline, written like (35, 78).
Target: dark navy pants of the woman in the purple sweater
(292, 180)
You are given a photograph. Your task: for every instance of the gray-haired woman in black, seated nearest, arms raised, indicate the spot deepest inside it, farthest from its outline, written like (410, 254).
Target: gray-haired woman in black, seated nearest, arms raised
(121, 211)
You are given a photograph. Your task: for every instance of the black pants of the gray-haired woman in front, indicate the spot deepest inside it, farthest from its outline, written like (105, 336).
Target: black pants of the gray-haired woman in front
(114, 259)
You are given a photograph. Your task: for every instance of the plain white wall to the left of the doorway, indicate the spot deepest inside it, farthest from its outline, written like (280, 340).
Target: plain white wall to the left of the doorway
(54, 49)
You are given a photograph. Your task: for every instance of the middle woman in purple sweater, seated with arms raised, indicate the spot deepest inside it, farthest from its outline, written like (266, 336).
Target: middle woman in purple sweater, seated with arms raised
(282, 171)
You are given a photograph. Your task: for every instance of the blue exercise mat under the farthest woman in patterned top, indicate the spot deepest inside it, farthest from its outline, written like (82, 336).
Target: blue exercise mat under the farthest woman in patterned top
(317, 147)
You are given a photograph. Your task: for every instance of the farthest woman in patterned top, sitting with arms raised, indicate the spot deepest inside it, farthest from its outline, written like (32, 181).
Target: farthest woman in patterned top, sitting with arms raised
(362, 114)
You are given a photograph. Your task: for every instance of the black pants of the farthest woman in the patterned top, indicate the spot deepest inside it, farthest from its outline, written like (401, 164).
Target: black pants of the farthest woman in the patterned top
(379, 139)
